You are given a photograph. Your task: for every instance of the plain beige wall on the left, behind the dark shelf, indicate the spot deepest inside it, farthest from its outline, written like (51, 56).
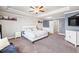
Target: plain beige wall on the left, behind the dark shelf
(10, 27)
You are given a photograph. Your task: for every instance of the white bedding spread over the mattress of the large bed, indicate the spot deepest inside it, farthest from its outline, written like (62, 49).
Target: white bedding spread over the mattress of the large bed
(35, 34)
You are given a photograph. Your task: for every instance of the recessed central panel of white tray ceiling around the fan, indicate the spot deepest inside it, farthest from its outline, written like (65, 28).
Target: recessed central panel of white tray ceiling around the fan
(27, 8)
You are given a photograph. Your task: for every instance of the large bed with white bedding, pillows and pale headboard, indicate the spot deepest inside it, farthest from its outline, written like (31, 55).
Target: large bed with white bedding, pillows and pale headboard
(33, 34)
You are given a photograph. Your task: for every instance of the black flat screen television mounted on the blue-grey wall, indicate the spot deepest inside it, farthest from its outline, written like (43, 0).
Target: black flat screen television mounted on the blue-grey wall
(73, 21)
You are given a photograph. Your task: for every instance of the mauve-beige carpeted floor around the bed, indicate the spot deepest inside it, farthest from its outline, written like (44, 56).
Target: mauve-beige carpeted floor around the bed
(52, 44)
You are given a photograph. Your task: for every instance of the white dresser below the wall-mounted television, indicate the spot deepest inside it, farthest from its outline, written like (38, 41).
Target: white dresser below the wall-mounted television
(72, 37)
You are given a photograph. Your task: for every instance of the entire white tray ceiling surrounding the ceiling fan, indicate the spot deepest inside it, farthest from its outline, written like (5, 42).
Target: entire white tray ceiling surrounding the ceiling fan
(49, 10)
